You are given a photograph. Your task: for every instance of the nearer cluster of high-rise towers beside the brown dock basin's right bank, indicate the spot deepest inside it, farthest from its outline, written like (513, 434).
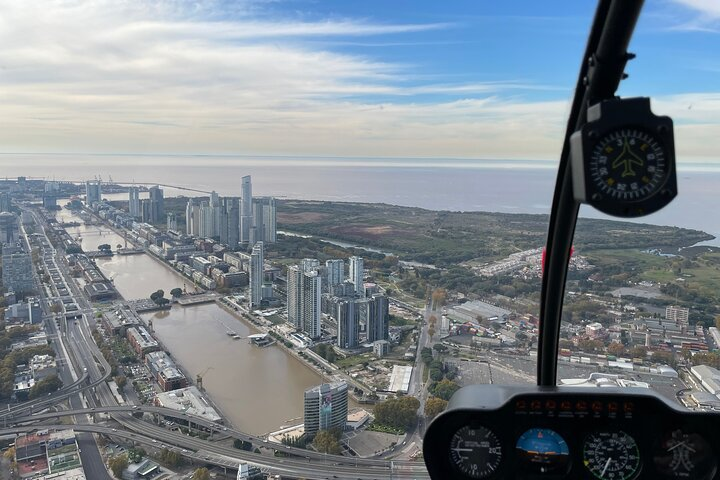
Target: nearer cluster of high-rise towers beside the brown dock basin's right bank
(313, 290)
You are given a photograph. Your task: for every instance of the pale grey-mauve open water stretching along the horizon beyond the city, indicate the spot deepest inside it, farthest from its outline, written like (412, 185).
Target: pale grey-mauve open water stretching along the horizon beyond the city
(438, 184)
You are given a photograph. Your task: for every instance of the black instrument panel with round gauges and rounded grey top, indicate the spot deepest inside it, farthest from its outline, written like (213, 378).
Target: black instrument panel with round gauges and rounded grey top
(528, 432)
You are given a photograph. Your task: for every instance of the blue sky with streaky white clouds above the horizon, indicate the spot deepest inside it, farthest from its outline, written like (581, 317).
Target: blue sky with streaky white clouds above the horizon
(471, 79)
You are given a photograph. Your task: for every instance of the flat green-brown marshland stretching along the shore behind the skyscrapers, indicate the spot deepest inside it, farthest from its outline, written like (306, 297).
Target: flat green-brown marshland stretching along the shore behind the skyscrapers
(446, 238)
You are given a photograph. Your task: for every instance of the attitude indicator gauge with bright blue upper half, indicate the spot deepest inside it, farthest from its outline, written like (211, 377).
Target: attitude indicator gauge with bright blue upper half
(541, 450)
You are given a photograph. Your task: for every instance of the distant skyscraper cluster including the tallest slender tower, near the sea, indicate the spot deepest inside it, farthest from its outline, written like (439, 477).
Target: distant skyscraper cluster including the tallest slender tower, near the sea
(234, 221)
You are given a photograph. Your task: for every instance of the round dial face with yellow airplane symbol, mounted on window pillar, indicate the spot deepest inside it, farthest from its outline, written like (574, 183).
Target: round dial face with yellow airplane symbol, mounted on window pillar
(628, 165)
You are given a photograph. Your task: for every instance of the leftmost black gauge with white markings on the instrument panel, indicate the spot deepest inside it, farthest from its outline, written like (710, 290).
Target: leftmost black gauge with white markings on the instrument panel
(475, 451)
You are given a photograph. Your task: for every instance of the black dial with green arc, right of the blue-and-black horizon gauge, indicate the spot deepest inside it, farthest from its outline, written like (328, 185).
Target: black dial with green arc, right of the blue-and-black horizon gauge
(611, 456)
